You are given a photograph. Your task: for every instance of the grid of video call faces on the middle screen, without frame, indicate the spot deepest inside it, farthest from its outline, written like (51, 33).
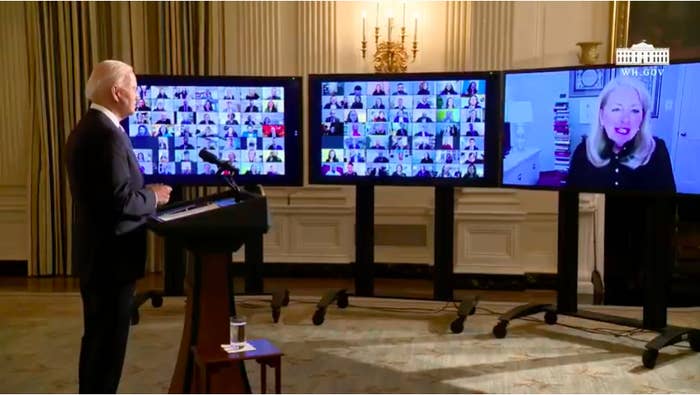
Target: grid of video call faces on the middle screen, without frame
(432, 128)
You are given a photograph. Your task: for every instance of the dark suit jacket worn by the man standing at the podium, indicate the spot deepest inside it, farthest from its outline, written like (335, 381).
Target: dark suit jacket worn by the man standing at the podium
(110, 202)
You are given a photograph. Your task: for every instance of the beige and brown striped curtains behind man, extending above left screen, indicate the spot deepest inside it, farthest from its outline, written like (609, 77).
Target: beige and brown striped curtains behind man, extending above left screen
(65, 39)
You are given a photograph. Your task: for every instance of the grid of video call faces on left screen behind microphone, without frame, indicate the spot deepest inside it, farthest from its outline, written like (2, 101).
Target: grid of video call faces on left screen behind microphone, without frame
(241, 125)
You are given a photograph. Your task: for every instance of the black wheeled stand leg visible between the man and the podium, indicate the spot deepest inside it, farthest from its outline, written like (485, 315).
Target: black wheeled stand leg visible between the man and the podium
(173, 273)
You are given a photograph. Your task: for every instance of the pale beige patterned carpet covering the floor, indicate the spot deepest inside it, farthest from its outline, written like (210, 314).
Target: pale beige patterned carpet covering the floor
(373, 346)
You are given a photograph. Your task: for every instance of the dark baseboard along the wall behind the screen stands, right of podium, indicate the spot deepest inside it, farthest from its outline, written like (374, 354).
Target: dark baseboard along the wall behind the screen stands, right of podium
(405, 271)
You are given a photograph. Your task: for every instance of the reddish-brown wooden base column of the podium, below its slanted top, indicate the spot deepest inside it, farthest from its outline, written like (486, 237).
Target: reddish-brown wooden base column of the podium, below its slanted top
(210, 303)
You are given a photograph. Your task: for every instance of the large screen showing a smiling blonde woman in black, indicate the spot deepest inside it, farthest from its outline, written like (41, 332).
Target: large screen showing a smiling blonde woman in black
(603, 129)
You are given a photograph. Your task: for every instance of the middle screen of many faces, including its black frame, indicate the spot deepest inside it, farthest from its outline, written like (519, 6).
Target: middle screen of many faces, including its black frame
(408, 129)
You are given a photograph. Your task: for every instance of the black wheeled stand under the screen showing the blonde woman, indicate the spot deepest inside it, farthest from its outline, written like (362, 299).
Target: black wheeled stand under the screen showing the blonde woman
(658, 250)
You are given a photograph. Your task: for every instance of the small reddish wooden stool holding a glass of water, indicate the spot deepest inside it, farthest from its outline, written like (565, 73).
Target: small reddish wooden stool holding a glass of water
(265, 353)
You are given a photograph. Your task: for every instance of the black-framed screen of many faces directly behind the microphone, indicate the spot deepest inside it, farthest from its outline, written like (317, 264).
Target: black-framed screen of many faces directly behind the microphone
(253, 123)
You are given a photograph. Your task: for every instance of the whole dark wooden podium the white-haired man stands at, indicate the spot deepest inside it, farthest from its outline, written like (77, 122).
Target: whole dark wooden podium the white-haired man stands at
(211, 228)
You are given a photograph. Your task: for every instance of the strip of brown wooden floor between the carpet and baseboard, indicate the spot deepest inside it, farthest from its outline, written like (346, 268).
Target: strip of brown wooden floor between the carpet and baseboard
(401, 288)
